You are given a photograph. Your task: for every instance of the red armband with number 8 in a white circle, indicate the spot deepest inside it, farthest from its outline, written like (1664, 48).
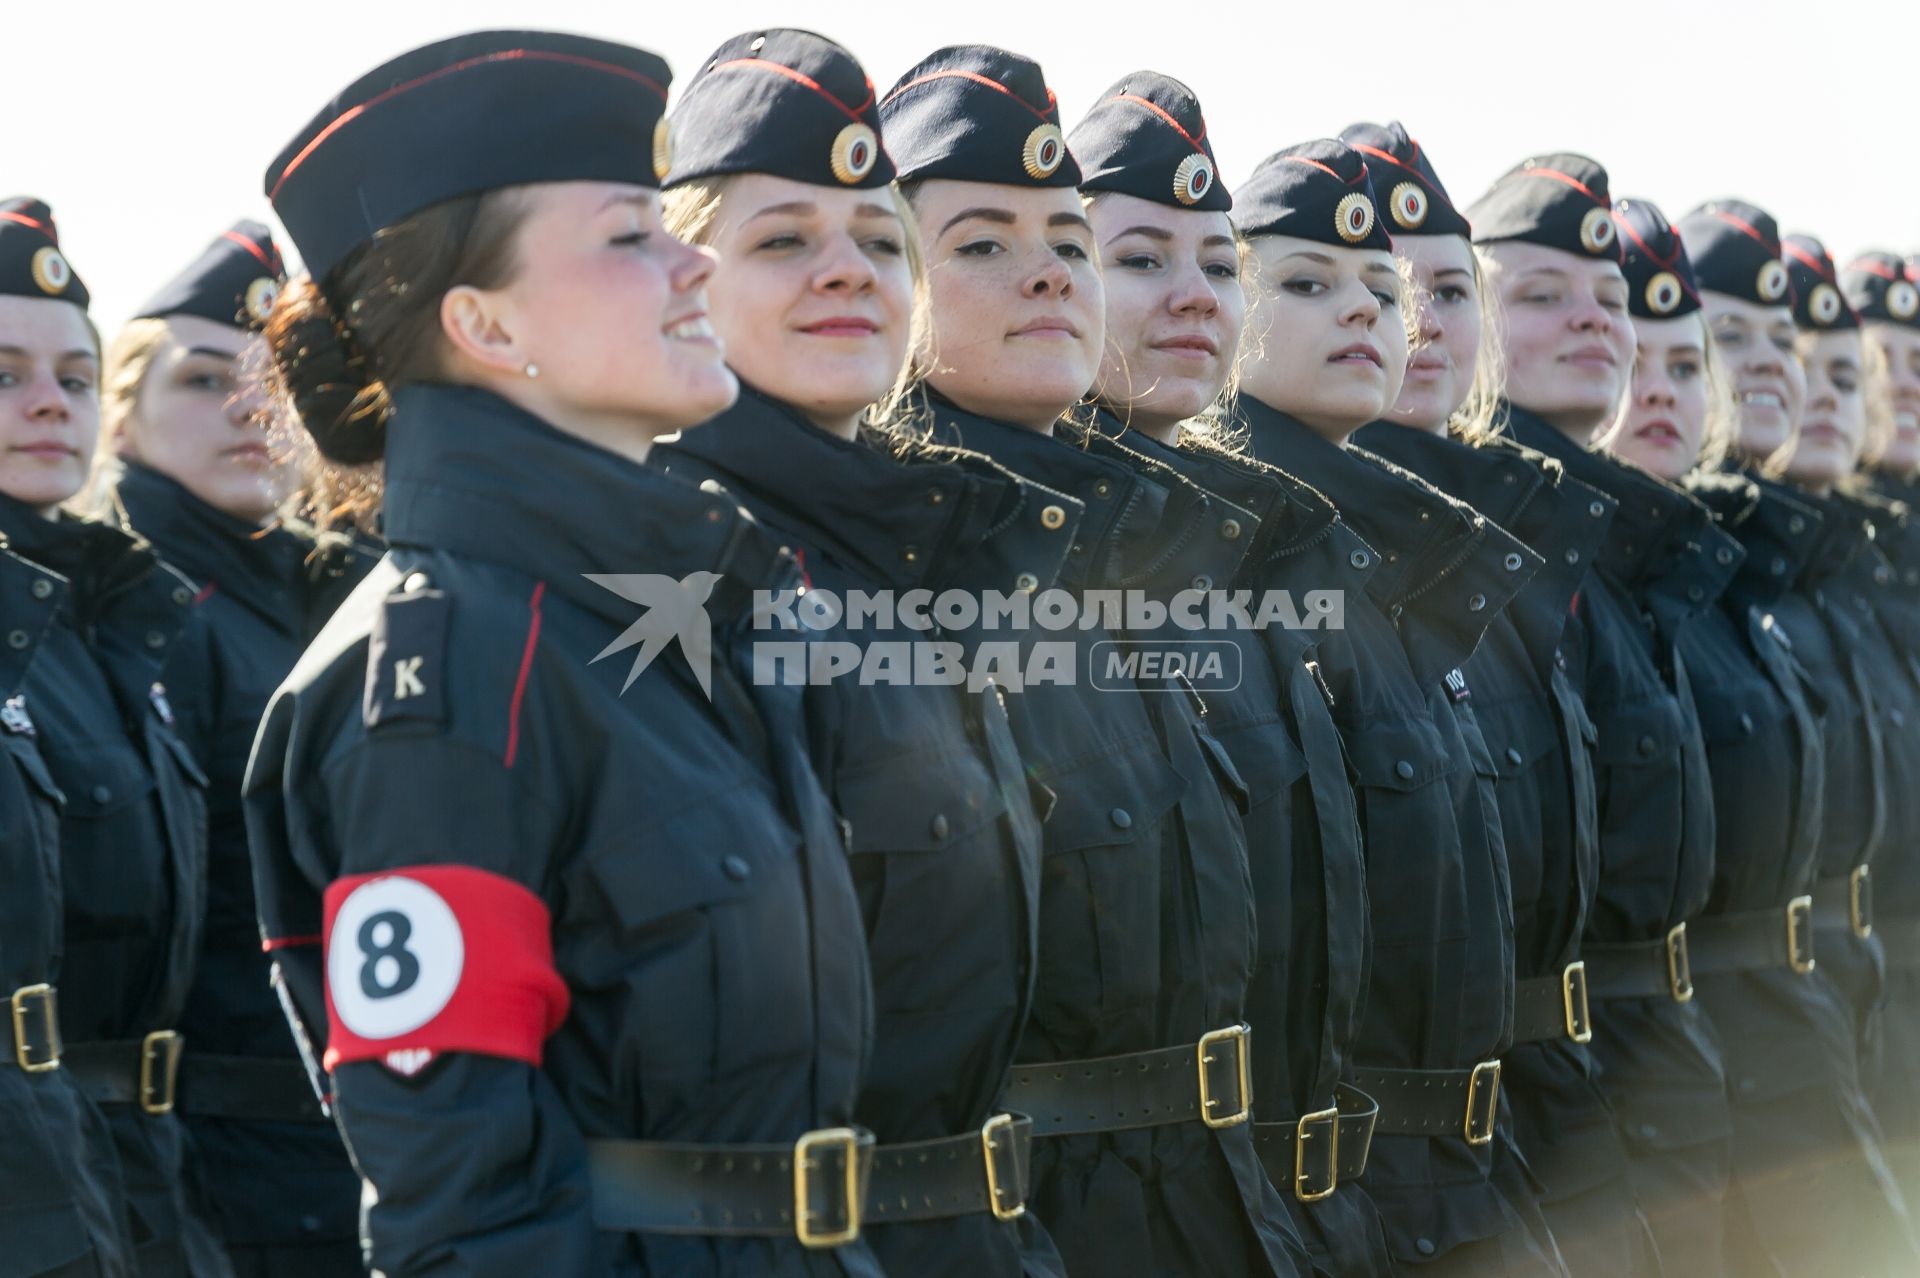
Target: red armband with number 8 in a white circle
(439, 958)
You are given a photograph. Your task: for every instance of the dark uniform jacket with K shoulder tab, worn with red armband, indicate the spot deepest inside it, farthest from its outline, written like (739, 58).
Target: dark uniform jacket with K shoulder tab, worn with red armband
(492, 699)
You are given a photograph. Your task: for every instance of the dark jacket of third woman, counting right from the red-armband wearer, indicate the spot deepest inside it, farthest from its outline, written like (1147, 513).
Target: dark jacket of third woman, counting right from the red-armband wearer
(1147, 907)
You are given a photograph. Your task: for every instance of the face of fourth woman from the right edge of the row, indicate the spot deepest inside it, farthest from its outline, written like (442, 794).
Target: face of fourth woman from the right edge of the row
(1664, 421)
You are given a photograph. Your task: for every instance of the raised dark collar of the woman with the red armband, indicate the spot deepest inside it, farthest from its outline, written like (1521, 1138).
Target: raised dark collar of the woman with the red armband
(479, 477)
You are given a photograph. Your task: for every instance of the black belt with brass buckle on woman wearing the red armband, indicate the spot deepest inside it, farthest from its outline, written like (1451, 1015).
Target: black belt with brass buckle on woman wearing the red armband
(809, 1191)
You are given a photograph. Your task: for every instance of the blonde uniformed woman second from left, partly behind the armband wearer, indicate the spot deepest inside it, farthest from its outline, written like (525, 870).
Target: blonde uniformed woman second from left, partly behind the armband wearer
(183, 461)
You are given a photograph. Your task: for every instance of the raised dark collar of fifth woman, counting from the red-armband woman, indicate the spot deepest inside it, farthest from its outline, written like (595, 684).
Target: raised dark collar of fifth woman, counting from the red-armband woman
(1449, 571)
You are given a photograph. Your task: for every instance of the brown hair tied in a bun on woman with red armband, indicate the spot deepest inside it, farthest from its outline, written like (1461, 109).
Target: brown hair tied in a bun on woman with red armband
(339, 348)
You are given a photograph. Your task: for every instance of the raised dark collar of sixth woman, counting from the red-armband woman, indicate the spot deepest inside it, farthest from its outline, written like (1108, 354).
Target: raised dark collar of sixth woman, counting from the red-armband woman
(1529, 496)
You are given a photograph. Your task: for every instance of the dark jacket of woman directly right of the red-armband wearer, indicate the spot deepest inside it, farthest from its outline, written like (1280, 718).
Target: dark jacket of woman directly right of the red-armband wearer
(946, 838)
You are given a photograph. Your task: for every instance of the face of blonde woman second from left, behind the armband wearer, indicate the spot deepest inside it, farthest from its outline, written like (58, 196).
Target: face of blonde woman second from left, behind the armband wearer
(197, 417)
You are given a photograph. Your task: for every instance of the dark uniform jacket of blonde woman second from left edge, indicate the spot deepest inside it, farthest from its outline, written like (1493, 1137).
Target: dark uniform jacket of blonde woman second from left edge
(260, 598)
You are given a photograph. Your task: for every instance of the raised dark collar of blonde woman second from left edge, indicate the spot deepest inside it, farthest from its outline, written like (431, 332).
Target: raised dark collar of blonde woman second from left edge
(256, 567)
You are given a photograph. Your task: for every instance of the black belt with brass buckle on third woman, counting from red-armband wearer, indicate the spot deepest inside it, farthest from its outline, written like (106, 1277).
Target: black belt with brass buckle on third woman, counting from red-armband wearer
(1209, 1081)
